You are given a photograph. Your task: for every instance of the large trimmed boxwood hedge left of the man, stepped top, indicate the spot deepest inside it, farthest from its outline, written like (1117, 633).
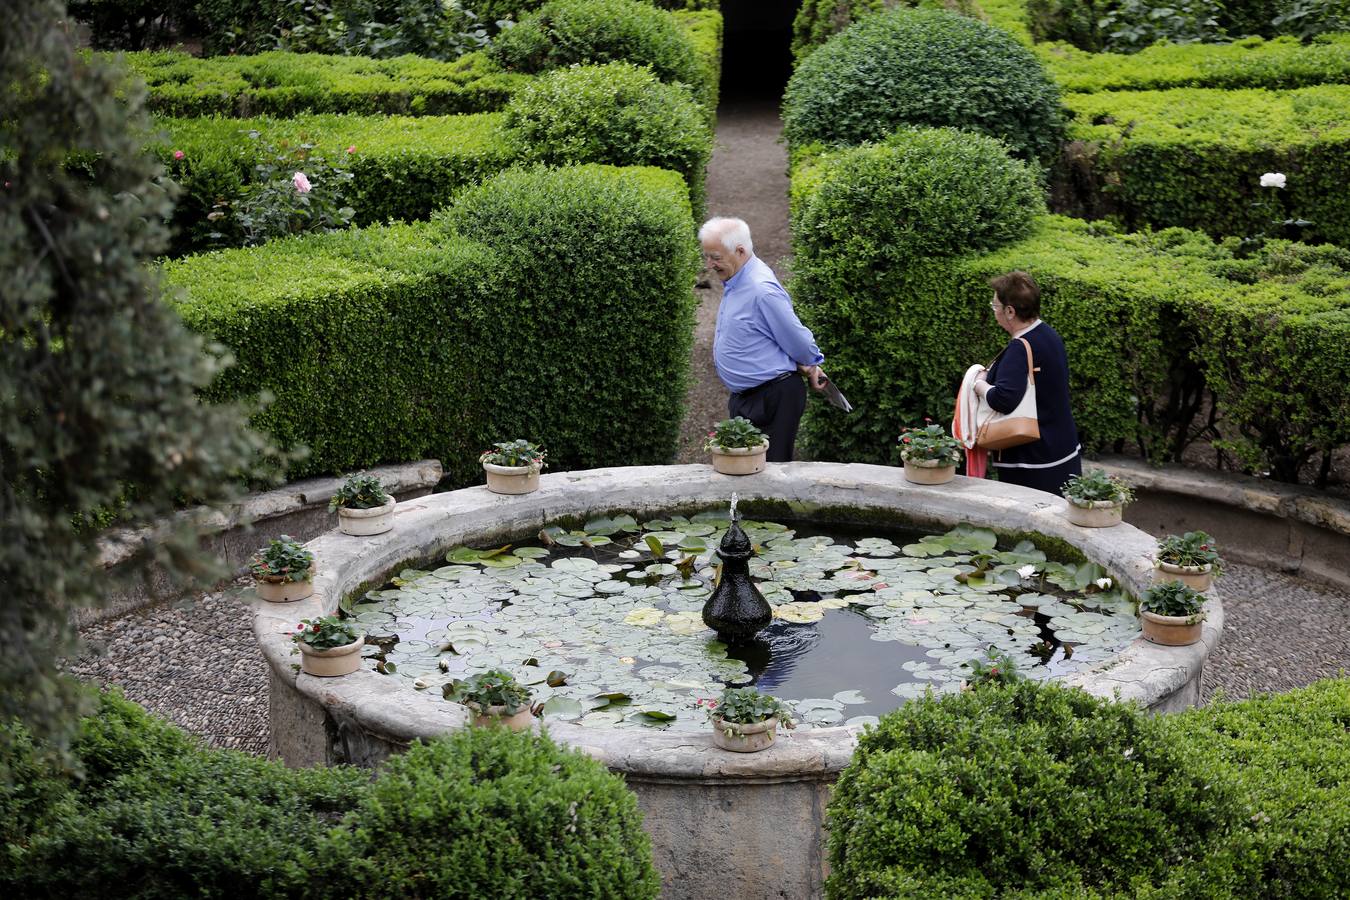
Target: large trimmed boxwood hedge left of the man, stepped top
(524, 311)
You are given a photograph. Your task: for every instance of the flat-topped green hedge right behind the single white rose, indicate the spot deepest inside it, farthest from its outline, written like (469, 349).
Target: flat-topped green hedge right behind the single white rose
(1194, 159)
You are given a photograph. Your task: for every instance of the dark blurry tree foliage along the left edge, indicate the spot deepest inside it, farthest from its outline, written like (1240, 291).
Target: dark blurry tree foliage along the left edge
(99, 422)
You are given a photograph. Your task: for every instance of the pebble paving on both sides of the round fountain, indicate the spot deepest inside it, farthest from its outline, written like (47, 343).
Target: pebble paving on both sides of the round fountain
(196, 663)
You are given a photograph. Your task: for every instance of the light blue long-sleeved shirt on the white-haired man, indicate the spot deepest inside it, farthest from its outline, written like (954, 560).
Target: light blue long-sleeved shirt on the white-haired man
(759, 335)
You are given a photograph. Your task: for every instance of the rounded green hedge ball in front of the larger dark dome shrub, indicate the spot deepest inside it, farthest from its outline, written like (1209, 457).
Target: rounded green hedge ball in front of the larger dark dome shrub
(925, 192)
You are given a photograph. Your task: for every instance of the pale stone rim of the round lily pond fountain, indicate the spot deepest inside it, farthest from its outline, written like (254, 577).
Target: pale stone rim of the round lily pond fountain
(430, 526)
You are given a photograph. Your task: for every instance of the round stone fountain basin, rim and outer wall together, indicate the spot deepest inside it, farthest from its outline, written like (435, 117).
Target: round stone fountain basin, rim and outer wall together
(695, 797)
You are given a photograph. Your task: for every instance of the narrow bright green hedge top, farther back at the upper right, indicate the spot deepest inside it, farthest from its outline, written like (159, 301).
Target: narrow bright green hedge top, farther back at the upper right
(1283, 63)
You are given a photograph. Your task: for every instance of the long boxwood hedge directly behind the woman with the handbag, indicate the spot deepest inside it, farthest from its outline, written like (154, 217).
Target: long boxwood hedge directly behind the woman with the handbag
(1159, 329)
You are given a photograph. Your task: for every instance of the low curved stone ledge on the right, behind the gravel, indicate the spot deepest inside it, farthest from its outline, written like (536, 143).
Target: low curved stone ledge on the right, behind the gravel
(1290, 528)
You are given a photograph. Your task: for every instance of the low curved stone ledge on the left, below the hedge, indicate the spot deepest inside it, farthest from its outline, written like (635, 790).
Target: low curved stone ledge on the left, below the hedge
(236, 532)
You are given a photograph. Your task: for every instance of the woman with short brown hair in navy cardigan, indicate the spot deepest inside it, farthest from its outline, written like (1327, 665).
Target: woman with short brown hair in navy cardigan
(1044, 465)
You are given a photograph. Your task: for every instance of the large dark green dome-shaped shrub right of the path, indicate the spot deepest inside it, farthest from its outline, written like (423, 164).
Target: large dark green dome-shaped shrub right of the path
(923, 68)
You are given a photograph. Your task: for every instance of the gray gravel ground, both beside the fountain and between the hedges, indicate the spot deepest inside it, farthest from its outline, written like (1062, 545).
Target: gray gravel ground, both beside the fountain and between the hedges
(196, 663)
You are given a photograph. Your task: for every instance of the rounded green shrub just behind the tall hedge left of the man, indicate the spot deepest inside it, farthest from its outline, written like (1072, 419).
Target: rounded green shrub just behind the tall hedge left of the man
(616, 114)
